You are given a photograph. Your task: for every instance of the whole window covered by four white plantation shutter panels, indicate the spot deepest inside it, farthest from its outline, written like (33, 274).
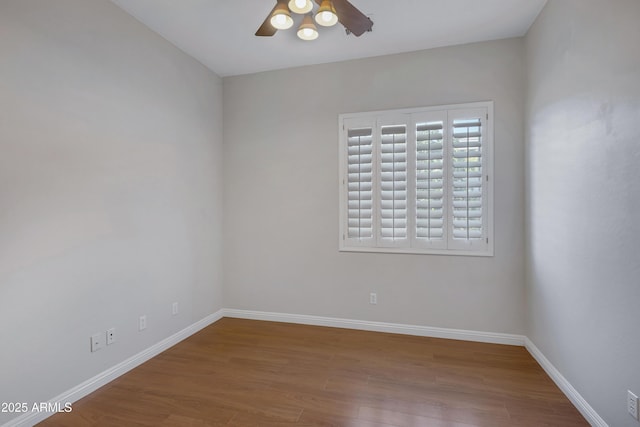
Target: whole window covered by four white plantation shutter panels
(417, 181)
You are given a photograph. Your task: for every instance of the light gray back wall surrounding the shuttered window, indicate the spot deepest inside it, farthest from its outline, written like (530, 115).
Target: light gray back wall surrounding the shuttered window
(281, 192)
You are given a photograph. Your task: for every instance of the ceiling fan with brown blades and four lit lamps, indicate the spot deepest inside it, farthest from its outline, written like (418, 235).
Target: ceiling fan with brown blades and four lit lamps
(329, 13)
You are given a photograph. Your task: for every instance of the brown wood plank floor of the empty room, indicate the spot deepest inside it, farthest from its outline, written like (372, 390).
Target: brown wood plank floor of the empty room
(251, 373)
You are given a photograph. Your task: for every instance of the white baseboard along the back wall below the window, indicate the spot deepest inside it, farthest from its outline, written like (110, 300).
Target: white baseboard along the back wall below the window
(394, 328)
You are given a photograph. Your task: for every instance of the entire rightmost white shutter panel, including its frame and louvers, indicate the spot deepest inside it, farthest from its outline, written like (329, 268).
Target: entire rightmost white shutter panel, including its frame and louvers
(467, 227)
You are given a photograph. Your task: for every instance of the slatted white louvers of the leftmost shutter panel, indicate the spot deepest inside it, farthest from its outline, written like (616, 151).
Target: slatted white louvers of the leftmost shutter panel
(360, 183)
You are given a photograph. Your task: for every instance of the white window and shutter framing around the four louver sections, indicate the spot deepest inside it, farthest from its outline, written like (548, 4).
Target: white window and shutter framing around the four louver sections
(410, 117)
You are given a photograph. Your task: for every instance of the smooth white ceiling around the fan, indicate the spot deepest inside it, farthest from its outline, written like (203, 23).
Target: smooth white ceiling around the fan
(220, 33)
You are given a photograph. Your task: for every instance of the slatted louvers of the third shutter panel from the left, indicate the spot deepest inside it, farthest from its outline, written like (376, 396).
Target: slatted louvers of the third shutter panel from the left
(429, 181)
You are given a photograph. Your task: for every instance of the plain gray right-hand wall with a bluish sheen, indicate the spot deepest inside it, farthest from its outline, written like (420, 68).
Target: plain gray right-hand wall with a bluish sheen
(583, 187)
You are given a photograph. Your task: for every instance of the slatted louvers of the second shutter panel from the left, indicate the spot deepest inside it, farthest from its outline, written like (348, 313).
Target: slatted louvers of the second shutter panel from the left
(393, 183)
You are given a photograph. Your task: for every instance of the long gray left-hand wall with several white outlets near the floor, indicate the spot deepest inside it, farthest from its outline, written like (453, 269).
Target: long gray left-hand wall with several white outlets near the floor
(110, 191)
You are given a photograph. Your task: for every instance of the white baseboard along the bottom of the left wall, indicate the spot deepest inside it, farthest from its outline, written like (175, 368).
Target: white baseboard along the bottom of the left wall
(92, 384)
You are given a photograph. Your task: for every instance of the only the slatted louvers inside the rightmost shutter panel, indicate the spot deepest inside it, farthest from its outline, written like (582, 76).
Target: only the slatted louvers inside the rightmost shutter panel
(467, 179)
